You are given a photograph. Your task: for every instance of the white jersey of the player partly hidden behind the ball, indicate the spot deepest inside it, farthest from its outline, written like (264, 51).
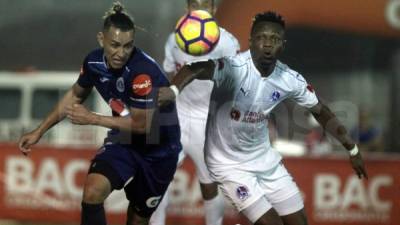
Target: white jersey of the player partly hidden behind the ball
(194, 99)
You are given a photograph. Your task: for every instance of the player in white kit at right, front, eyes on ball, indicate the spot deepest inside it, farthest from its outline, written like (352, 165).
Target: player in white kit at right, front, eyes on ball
(237, 150)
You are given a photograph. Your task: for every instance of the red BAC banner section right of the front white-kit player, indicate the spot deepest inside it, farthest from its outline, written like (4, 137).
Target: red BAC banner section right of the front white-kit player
(334, 195)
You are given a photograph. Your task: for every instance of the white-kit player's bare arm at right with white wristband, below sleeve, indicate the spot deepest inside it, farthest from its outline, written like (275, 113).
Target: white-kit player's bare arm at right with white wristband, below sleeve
(330, 123)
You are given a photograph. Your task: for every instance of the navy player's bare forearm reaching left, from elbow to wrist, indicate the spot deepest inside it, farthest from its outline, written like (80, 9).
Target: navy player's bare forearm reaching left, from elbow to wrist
(58, 112)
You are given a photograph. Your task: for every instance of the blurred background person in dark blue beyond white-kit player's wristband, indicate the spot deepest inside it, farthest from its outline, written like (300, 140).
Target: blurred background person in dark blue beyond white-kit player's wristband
(366, 133)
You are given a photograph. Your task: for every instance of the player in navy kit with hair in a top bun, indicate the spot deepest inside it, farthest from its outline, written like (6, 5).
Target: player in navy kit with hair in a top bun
(144, 140)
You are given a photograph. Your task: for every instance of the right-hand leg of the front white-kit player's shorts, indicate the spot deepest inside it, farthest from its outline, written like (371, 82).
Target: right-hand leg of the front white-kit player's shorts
(281, 190)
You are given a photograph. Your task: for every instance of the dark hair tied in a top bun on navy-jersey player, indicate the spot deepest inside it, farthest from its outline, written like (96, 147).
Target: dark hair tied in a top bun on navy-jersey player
(118, 18)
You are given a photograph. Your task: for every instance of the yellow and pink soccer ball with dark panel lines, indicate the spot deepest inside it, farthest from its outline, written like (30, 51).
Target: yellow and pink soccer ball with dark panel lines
(197, 33)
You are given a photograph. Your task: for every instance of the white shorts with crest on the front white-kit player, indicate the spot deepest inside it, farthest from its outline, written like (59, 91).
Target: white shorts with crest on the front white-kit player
(245, 188)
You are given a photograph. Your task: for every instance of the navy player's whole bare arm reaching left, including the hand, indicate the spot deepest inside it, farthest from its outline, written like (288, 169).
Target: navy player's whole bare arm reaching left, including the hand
(76, 94)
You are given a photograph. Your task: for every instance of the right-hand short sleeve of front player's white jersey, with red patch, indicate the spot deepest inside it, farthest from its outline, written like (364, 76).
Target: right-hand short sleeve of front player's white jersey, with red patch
(304, 93)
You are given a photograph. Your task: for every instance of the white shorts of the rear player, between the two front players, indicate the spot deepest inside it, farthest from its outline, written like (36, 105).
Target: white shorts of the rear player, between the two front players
(193, 137)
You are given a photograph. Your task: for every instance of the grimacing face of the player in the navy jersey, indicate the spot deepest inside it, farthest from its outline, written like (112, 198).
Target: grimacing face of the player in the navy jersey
(118, 46)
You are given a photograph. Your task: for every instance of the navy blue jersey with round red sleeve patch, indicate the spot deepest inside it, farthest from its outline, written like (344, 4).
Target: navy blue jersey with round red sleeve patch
(135, 85)
